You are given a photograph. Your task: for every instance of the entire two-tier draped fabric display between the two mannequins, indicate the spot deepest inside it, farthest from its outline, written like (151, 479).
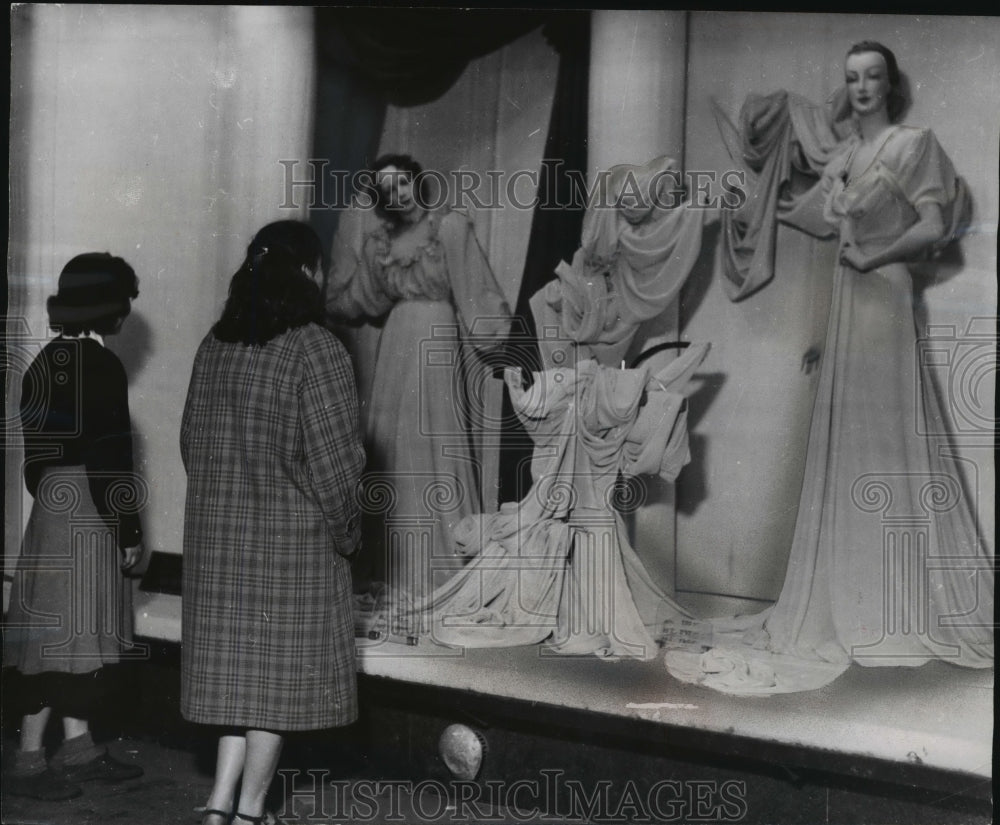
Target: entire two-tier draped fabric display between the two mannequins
(557, 566)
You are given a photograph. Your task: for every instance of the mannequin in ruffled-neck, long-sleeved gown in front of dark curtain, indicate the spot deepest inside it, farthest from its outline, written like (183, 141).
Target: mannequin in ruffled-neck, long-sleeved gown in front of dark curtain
(427, 313)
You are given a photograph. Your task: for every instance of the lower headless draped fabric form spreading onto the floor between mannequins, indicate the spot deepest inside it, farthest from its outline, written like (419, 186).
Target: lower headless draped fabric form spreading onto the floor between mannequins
(557, 567)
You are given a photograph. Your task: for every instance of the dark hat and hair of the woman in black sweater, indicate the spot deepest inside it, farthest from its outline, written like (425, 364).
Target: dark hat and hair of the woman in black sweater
(93, 286)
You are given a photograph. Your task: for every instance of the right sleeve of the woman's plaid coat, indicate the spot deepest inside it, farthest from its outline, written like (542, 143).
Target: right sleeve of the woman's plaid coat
(331, 436)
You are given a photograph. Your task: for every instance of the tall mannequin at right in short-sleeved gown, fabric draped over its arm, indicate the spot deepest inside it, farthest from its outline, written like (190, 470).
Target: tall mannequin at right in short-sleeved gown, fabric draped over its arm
(860, 587)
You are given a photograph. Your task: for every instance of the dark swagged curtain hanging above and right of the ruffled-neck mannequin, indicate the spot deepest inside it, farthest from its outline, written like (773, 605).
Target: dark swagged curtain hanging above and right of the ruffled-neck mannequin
(369, 58)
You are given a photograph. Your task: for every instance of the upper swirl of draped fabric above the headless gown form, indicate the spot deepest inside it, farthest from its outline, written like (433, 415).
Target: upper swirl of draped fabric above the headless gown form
(631, 264)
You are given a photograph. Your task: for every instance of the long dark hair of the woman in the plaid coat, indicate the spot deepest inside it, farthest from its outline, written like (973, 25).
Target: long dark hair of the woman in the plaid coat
(270, 294)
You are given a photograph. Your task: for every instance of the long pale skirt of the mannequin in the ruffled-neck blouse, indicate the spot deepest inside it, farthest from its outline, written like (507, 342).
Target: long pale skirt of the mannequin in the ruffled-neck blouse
(421, 479)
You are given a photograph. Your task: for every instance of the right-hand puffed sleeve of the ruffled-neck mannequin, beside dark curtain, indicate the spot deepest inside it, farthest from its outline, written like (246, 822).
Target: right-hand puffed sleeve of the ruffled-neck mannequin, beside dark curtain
(480, 304)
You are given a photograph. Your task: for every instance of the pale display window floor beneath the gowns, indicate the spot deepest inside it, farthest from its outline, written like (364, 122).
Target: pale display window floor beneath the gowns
(897, 721)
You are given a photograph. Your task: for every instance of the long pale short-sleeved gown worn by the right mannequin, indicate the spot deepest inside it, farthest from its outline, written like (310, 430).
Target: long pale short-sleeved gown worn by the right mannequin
(887, 567)
